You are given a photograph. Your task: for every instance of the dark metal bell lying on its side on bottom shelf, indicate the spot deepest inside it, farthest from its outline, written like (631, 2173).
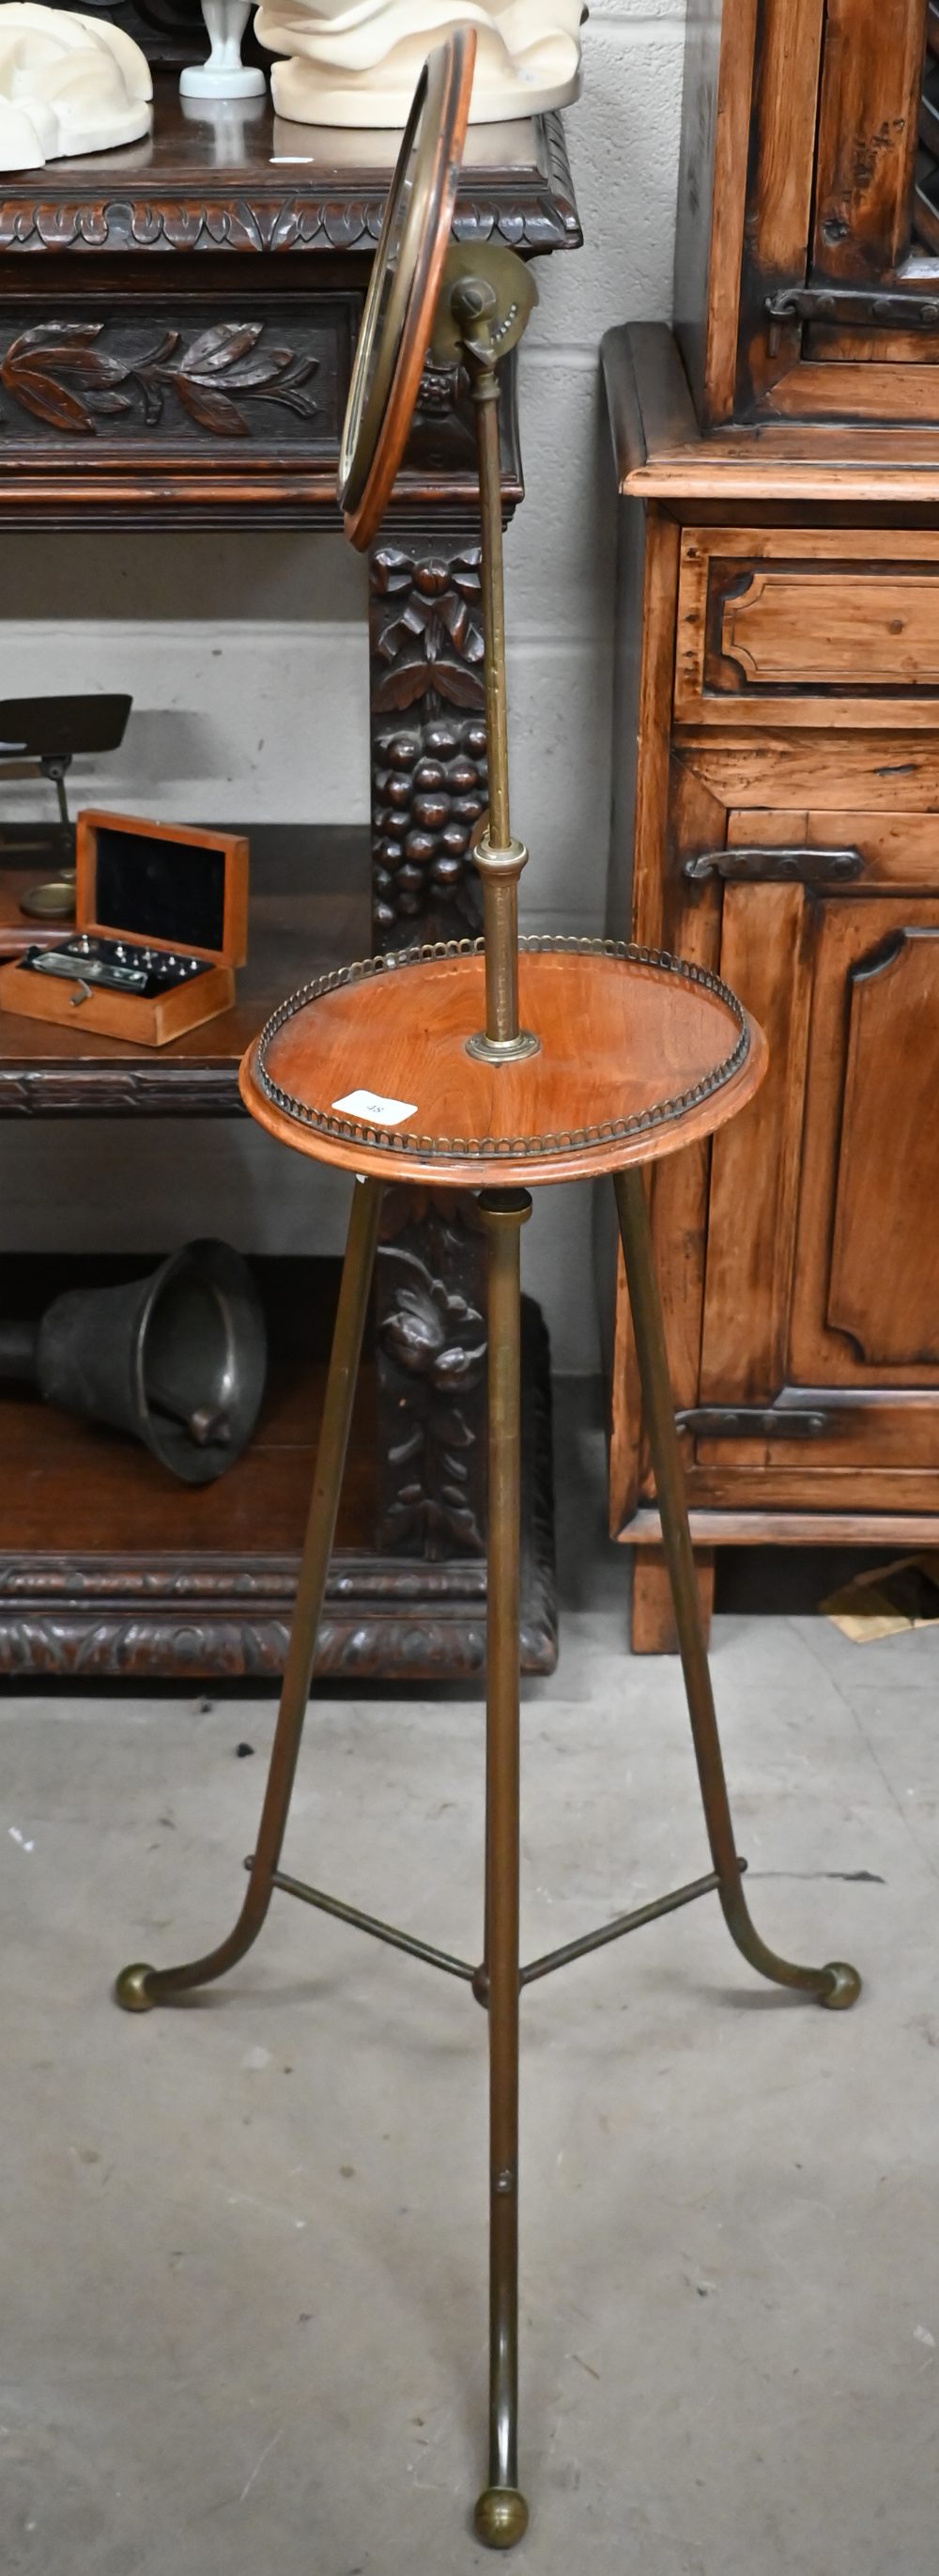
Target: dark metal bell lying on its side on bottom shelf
(176, 1359)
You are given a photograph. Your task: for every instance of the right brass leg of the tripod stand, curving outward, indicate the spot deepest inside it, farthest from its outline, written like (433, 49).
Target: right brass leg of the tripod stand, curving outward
(837, 1985)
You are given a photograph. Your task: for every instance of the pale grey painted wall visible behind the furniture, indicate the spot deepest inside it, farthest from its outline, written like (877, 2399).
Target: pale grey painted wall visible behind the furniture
(248, 674)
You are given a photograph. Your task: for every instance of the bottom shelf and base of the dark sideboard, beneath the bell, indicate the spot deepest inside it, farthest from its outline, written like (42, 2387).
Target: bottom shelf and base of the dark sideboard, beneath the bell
(202, 1580)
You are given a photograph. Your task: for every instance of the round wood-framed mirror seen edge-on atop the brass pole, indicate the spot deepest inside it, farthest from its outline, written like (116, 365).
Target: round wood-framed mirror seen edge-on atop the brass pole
(405, 285)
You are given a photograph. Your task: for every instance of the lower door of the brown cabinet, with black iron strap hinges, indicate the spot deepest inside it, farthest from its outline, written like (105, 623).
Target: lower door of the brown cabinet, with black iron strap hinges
(822, 1282)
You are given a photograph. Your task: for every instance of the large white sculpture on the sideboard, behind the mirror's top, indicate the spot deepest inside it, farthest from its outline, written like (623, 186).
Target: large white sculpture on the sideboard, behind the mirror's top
(354, 63)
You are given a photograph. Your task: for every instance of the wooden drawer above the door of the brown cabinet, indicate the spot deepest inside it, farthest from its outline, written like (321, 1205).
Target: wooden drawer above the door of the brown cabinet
(809, 627)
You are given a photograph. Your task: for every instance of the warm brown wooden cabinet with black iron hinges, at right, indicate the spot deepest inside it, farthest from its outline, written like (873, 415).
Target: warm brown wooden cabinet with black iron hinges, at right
(778, 661)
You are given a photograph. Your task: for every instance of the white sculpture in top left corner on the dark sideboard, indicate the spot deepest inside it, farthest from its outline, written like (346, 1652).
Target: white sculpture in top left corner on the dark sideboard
(68, 84)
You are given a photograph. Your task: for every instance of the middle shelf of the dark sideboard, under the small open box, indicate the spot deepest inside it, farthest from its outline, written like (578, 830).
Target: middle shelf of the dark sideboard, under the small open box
(310, 911)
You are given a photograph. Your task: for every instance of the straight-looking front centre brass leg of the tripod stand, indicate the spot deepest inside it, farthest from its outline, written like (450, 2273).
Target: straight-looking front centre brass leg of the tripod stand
(500, 2510)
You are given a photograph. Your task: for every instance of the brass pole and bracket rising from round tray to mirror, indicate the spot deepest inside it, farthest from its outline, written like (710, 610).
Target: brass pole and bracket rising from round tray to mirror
(485, 303)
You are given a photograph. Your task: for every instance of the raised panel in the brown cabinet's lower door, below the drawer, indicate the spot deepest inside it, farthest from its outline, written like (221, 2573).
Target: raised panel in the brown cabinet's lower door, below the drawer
(889, 1158)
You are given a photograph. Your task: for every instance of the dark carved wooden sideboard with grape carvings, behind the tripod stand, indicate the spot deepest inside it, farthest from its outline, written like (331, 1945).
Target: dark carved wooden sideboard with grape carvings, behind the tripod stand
(176, 334)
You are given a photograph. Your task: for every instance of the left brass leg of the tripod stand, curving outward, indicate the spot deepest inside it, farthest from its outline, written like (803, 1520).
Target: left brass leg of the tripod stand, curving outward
(143, 1987)
